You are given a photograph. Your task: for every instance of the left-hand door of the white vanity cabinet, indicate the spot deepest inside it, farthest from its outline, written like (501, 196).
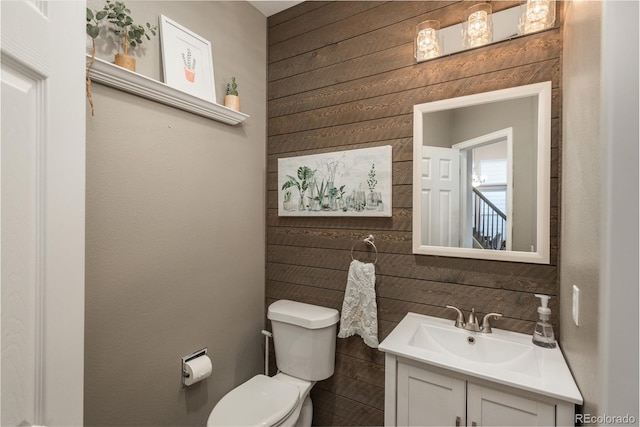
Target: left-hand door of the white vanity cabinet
(425, 398)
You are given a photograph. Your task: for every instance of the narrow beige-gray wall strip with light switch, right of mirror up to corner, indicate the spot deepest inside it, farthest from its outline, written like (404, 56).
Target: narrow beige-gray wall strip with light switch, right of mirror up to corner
(581, 191)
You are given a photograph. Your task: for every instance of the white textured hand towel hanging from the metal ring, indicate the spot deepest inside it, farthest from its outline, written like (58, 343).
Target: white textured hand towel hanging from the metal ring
(359, 309)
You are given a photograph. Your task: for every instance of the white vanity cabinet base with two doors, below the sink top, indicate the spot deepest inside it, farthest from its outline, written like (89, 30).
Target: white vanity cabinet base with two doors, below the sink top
(421, 395)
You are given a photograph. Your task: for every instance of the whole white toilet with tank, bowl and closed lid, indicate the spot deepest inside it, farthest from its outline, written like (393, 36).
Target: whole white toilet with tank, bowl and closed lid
(304, 338)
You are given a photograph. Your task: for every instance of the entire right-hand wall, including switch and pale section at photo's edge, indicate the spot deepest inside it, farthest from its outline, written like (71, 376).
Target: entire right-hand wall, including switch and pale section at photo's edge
(599, 236)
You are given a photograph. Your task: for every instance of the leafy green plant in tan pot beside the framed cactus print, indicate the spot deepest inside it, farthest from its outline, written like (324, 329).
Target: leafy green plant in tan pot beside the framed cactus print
(127, 32)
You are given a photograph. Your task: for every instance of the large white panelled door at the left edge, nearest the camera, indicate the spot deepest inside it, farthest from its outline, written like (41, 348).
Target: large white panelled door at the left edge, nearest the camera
(42, 170)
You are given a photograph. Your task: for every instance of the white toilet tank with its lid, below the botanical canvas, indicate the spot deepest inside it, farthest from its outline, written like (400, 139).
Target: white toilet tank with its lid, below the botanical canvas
(304, 338)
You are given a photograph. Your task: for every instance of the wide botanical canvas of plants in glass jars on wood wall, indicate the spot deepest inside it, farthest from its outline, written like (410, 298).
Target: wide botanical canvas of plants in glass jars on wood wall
(343, 183)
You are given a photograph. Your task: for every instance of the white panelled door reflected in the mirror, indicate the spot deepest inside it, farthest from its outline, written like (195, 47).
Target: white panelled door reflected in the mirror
(440, 196)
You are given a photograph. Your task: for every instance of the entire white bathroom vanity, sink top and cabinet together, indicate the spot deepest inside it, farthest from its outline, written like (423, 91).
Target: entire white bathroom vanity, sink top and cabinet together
(440, 375)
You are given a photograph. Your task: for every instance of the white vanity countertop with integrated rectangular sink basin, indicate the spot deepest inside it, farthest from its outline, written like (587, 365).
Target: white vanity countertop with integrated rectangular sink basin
(504, 357)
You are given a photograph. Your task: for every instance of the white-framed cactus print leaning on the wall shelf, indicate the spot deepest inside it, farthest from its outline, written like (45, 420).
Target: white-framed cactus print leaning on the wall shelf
(187, 60)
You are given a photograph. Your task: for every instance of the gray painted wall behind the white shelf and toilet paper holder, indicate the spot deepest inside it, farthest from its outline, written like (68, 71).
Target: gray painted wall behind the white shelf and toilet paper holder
(175, 231)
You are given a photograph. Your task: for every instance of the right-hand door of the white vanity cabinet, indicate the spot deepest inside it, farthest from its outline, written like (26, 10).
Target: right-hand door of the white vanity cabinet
(490, 407)
